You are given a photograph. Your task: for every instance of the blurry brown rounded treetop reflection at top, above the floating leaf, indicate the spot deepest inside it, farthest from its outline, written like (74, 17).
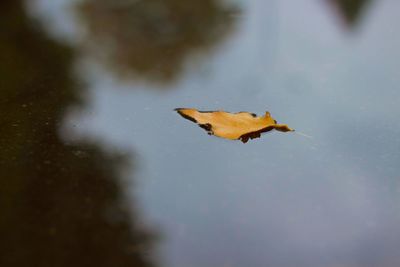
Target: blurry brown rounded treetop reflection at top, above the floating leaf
(151, 39)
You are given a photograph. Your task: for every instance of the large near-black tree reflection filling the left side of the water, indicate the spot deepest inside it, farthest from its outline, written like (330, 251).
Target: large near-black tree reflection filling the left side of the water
(60, 204)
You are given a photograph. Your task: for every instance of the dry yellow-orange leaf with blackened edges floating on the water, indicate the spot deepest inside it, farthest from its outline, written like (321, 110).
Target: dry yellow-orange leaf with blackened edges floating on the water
(241, 125)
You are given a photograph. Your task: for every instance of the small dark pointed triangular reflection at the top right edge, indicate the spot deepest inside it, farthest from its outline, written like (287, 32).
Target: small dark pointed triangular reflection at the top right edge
(350, 10)
